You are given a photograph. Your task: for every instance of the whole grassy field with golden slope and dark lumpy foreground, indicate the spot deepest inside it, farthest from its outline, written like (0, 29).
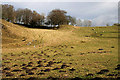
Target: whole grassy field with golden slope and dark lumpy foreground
(69, 52)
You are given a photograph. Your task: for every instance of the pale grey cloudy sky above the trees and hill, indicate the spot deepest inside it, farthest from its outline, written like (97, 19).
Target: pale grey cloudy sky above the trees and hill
(100, 13)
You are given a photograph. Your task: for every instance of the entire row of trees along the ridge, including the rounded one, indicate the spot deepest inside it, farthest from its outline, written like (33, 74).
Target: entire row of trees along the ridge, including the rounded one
(33, 18)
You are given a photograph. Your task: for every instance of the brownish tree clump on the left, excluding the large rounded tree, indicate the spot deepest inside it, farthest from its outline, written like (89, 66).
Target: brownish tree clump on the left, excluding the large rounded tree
(22, 16)
